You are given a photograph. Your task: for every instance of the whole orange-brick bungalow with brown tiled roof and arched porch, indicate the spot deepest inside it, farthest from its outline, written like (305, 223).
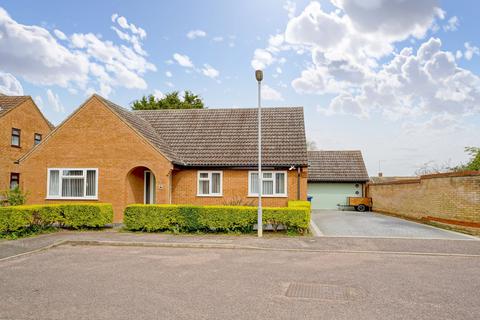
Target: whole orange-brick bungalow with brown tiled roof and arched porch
(105, 153)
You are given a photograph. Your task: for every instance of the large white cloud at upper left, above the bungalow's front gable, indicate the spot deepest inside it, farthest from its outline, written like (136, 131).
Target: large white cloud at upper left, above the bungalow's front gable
(33, 53)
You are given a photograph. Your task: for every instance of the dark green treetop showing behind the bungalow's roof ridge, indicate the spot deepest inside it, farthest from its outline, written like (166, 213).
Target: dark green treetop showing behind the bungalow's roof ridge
(171, 100)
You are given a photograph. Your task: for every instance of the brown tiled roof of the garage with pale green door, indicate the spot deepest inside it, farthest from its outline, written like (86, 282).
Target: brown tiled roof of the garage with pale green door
(336, 166)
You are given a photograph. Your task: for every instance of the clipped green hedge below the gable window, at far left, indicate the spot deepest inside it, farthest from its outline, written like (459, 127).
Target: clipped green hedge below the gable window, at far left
(69, 215)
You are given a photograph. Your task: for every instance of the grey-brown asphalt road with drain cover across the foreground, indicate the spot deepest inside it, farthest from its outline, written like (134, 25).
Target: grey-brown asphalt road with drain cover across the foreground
(89, 282)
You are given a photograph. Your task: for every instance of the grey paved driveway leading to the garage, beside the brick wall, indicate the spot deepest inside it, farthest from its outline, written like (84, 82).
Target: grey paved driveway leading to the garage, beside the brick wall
(371, 224)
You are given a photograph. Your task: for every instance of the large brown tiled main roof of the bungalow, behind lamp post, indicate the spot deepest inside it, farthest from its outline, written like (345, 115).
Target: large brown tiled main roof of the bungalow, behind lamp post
(228, 137)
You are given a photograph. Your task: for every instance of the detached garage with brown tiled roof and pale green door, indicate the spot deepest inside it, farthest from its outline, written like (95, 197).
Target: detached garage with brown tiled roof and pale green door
(335, 175)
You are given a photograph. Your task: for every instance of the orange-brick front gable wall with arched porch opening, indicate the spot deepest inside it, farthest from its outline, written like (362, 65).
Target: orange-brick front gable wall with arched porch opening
(94, 137)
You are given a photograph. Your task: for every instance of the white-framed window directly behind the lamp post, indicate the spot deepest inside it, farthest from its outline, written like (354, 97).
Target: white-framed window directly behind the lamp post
(274, 183)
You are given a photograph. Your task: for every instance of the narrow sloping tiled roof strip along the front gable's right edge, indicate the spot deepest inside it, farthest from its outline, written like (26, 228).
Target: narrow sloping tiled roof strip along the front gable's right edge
(144, 128)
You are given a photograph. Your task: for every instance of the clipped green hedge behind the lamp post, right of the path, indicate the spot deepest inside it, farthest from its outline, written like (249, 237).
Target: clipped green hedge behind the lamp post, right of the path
(211, 218)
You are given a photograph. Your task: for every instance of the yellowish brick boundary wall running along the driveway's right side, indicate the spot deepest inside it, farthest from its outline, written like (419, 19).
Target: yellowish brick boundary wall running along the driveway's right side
(450, 199)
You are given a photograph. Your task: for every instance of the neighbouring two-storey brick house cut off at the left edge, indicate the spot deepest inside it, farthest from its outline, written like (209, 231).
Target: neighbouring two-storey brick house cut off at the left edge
(22, 126)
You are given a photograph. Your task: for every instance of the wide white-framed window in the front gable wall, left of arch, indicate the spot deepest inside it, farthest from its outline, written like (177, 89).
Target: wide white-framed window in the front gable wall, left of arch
(72, 183)
